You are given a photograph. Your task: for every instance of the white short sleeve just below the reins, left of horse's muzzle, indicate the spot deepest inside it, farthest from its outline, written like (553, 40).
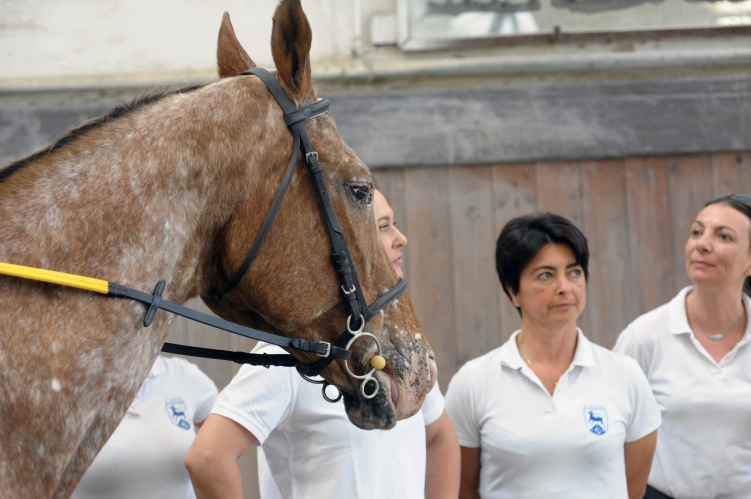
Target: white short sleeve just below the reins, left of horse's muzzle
(257, 398)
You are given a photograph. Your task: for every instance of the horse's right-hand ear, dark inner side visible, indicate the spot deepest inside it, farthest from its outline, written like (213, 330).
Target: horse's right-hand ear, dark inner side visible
(290, 47)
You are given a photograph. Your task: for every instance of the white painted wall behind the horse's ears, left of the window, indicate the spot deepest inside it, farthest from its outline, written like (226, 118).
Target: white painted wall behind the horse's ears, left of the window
(49, 41)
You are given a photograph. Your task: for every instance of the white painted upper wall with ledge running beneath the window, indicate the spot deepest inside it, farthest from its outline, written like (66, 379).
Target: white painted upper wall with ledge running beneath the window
(138, 43)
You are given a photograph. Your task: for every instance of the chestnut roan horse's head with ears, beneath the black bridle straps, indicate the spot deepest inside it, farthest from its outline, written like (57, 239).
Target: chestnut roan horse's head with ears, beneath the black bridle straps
(292, 288)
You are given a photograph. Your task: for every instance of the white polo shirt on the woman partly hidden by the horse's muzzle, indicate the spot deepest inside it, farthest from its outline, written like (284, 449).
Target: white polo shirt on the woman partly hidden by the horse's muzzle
(310, 449)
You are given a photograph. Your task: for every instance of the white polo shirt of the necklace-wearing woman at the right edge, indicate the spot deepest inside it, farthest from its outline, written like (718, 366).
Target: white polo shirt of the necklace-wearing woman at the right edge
(704, 445)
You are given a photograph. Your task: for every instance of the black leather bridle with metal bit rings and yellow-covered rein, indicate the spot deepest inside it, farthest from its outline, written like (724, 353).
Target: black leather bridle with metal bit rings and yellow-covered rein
(354, 300)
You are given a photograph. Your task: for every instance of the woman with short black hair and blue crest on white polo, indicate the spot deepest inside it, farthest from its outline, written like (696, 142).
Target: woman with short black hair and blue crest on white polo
(549, 414)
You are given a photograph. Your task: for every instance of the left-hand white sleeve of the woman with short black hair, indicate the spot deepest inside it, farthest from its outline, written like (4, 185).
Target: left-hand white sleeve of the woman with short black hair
(461, 408)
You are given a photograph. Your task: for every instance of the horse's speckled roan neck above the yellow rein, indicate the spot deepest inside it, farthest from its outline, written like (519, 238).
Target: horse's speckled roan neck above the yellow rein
(142, 198)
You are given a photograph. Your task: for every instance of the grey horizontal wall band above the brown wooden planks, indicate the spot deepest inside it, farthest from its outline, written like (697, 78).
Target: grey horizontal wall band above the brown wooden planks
(477, 123)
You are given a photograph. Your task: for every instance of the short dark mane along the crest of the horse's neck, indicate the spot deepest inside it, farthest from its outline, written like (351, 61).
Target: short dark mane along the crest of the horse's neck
(124, 109)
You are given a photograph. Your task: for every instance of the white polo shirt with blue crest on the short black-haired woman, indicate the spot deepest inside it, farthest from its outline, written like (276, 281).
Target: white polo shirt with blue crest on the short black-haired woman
(568, 445)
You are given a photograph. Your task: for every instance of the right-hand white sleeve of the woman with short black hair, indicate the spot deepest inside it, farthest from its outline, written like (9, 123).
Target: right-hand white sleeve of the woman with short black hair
(645, 413)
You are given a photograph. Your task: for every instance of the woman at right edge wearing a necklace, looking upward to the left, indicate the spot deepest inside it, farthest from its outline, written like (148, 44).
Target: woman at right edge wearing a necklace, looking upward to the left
(696, 355)
